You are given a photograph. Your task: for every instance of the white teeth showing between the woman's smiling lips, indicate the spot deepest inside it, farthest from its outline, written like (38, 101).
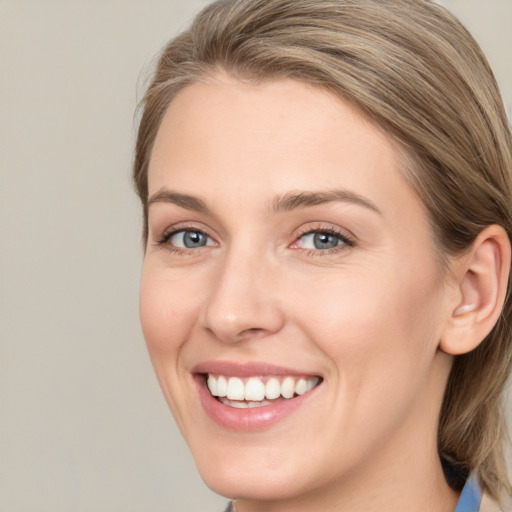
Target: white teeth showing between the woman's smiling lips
(243, 393)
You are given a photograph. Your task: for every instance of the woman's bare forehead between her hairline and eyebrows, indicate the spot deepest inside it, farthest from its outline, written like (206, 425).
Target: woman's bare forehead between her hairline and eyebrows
(276, 131)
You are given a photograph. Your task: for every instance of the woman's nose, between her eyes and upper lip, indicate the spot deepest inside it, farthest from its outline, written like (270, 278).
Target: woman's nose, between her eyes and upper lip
(244, 302)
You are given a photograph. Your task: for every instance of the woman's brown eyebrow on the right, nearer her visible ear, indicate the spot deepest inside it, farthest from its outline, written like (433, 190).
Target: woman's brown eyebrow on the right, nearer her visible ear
(303, 199)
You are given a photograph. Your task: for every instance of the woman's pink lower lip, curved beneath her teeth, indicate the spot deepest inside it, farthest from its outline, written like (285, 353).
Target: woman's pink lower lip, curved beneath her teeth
(250, 419)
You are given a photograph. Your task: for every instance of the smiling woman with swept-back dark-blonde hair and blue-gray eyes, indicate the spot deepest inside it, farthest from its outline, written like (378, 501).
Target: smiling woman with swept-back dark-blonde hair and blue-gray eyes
(327, 192)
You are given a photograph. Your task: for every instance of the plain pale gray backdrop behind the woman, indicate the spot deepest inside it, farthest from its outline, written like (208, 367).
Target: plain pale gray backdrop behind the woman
(83, 426)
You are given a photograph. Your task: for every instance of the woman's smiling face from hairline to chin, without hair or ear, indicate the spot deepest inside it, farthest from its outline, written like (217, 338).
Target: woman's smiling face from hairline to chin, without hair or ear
(288, 257)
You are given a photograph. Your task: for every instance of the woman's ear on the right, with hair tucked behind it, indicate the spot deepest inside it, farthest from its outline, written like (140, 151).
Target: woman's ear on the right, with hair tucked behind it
(481, 279)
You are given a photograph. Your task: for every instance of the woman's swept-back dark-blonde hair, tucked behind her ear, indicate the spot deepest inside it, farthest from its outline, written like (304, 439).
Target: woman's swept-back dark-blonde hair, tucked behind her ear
(414, 70)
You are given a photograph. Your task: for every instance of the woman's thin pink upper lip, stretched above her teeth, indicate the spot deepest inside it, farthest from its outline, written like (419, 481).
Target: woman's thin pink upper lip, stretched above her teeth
(248, 369)
